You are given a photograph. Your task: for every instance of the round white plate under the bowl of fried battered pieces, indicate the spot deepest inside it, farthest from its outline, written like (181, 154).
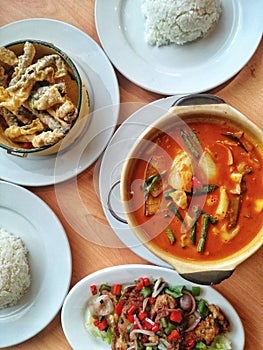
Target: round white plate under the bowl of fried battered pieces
(95, 69)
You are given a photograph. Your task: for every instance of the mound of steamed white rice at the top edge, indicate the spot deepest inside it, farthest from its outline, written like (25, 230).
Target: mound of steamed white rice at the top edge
(179, 21)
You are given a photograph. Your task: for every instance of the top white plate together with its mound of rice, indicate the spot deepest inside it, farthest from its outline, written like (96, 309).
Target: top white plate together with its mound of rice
(178, 46)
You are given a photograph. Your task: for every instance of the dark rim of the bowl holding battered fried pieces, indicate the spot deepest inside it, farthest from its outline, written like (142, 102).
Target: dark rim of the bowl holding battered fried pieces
(72, 65)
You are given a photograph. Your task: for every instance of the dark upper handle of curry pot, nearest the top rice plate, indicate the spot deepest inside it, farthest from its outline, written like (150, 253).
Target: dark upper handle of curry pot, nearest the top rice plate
(197, 99)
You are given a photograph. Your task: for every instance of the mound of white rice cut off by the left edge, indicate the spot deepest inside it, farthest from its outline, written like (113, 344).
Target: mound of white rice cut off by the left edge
(15, 277)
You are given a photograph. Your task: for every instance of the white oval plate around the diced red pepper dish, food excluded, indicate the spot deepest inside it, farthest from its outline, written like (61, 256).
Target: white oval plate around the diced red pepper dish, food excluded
(74, 310)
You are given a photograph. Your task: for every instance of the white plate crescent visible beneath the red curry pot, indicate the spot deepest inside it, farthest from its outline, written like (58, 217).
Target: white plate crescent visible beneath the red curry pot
(111, 167)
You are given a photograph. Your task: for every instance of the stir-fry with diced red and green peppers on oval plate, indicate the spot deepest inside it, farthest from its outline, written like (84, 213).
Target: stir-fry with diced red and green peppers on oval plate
(150, 315)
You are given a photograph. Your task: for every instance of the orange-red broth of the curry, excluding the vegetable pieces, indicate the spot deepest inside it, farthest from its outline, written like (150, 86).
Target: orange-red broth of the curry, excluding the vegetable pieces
(249, 220)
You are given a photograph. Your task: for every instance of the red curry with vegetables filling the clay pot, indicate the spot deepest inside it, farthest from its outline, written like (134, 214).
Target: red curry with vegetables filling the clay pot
(197, 191)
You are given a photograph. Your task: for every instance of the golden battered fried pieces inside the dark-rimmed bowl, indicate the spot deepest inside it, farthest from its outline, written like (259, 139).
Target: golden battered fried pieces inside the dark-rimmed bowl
(35, 107)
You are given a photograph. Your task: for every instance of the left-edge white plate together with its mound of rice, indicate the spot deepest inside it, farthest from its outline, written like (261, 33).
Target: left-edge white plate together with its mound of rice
(35, 264)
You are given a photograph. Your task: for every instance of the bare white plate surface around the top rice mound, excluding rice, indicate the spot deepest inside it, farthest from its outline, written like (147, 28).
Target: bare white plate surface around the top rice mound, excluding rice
(194, 67)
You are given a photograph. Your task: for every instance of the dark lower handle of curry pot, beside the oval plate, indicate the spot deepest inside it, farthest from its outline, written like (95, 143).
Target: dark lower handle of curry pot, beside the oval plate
(207, 277)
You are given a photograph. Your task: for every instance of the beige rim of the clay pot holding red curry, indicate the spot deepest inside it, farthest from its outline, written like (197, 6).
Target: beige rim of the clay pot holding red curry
(184, 265)
